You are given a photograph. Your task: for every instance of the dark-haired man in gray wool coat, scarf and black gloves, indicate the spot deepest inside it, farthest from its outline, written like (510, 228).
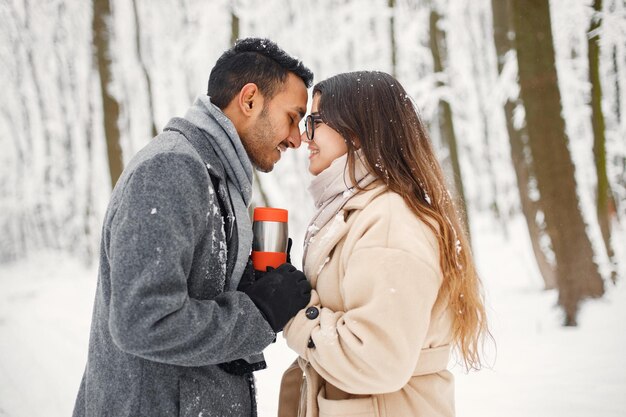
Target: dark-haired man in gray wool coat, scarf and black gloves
(171, 333)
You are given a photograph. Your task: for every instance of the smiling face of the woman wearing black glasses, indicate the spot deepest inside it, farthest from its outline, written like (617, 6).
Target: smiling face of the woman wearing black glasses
(327, 144)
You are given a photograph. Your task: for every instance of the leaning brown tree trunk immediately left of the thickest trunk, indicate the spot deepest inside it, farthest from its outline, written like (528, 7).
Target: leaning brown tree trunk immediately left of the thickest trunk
(522, 162)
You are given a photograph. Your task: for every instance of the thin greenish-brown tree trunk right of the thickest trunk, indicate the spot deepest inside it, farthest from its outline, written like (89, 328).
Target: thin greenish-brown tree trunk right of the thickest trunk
(605, 204)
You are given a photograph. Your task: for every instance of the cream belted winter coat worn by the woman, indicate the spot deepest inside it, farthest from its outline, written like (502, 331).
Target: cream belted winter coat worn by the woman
(382, 338)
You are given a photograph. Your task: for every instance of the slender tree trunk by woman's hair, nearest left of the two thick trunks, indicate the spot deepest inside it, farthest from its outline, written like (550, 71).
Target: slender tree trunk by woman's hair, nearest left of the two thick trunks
(446, 125)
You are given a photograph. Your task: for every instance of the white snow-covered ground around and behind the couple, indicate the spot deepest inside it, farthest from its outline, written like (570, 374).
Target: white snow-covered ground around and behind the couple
(541, 368)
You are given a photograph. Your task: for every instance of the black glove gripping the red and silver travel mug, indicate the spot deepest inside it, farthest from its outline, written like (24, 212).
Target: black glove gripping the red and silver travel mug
(280, 294)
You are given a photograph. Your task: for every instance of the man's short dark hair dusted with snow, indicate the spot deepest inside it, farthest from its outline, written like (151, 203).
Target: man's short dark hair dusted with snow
(253, 60)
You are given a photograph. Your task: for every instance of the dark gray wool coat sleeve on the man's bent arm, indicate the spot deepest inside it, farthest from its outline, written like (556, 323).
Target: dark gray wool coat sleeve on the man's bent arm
(161, 217)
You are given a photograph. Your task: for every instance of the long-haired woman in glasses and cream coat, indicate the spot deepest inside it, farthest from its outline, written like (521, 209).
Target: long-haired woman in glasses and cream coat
(395, 287)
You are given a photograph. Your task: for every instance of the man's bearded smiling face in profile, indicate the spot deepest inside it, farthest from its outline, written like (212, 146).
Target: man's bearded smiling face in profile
(276, 126)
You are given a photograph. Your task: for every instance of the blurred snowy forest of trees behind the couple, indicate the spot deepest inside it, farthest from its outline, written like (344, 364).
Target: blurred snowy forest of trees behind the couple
(524, 100)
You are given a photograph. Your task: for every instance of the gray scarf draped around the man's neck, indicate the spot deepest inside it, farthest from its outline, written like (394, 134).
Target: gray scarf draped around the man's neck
(225, 141)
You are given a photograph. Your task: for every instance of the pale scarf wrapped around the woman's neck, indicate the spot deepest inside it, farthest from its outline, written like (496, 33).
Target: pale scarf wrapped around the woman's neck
(331, 190)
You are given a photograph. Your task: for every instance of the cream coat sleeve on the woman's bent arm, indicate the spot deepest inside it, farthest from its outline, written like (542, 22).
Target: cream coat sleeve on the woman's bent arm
(389, 289)
